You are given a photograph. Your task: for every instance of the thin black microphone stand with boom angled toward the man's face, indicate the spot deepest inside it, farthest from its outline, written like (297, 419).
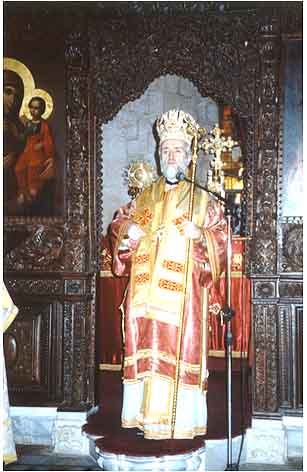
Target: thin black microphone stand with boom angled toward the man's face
(227, 313)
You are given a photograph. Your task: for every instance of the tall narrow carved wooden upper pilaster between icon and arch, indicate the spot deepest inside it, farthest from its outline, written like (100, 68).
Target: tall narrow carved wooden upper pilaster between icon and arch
(78, 158)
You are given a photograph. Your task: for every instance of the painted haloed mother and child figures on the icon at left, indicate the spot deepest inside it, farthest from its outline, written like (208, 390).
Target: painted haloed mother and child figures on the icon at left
(29, 150)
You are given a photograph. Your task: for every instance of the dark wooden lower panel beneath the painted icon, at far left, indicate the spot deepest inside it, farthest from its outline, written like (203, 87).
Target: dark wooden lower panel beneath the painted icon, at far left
(30, 349)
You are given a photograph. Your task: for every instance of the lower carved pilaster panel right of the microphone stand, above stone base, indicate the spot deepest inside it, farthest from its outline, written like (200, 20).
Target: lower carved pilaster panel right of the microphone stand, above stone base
(265, 359)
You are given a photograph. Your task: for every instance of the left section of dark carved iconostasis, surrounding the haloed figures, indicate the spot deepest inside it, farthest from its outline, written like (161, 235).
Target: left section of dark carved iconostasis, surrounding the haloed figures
(48, 262)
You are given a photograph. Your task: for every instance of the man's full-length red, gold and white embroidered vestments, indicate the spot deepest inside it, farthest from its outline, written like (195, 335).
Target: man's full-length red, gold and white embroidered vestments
(158, 291)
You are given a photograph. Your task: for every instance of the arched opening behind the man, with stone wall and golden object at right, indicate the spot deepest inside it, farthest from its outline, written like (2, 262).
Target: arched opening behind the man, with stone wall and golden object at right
(130, 136)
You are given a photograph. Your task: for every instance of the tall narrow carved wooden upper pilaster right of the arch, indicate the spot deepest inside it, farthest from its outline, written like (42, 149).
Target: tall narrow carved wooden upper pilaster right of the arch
(264, 252)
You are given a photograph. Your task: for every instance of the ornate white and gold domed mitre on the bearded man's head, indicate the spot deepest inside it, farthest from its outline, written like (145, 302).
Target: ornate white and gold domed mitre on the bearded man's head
(176, 124)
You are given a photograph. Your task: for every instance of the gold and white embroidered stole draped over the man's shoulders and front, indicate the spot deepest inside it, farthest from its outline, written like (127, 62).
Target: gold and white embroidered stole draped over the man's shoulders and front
(158, 266)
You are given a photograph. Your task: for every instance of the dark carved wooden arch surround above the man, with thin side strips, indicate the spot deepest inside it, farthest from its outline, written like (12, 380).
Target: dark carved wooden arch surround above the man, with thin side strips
(218, 54)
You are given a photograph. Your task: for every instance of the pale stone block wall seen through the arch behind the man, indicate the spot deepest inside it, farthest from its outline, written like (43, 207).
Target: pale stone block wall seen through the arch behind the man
(129, 136)
